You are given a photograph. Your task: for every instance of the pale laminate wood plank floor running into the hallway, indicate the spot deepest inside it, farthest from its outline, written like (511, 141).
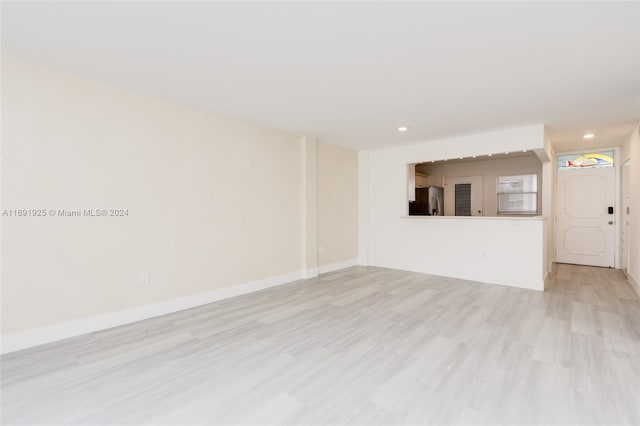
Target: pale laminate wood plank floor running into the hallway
(362, 345)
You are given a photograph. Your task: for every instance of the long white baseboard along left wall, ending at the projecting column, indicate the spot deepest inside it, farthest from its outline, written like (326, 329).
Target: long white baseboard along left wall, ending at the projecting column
(39, 336)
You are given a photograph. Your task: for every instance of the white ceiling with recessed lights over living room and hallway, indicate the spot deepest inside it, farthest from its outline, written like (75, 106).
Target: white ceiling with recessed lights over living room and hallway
(351, 73)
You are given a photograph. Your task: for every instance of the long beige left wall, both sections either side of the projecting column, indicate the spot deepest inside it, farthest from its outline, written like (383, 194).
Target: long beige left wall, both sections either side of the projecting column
(212, 201)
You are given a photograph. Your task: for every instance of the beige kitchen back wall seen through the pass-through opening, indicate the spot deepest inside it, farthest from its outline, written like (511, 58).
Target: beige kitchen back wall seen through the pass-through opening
(490, 170)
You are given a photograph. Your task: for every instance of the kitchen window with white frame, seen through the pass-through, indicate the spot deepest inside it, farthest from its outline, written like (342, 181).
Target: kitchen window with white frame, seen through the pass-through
(518, 194)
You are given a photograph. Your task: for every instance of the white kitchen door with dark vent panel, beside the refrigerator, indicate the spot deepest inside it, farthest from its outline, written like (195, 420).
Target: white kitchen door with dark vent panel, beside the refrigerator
(463, 196)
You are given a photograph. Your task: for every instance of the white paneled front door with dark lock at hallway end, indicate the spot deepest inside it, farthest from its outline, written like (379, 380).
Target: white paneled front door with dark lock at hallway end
(585, 232)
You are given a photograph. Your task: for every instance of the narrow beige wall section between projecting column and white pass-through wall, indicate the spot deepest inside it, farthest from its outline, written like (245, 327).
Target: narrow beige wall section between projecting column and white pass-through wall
(337, 197)
